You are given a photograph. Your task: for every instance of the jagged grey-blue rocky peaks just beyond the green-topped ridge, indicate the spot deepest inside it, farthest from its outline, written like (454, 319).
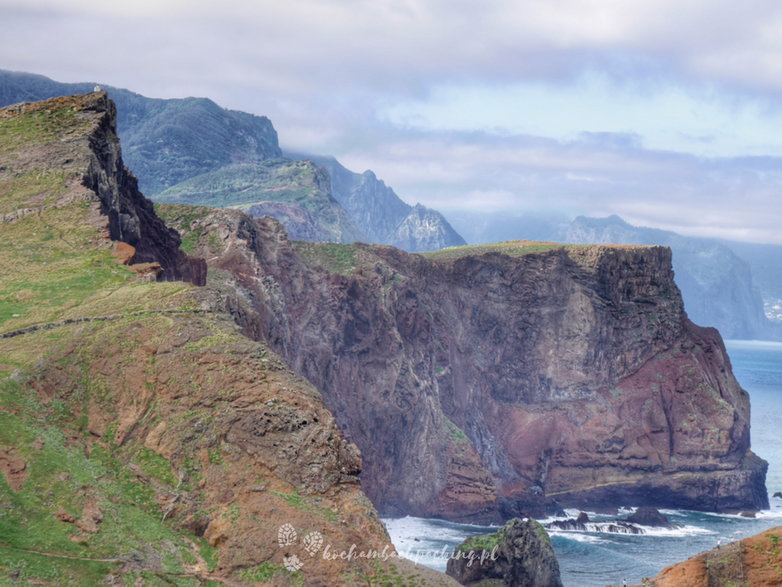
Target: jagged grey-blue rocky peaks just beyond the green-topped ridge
(382, 215)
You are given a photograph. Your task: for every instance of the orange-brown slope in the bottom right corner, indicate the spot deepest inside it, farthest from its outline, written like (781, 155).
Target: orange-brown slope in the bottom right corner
(754, 561)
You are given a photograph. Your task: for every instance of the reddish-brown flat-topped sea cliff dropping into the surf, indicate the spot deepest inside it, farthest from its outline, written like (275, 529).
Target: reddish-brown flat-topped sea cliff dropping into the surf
(493, 380)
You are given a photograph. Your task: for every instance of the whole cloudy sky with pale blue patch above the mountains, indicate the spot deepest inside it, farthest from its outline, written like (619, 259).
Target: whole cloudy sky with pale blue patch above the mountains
(665, 112)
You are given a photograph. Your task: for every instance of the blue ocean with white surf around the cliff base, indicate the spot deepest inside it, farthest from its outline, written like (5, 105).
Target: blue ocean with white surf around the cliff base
(596, 558)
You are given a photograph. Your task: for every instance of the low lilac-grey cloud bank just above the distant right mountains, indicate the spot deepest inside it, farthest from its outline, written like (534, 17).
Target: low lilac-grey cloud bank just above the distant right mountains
(596, 175)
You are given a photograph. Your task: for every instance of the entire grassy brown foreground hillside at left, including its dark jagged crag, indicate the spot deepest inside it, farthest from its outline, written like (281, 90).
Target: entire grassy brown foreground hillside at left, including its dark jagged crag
(143, 438)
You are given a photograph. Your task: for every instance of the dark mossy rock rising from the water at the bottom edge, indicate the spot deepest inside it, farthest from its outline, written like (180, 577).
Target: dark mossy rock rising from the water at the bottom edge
(518, 554)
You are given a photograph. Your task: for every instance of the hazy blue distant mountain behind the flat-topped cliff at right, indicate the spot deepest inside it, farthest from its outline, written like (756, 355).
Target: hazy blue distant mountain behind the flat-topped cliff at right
(716, 284)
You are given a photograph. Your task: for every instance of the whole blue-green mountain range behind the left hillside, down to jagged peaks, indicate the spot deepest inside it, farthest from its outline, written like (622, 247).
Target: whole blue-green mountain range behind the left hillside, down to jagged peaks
(178, 147)
